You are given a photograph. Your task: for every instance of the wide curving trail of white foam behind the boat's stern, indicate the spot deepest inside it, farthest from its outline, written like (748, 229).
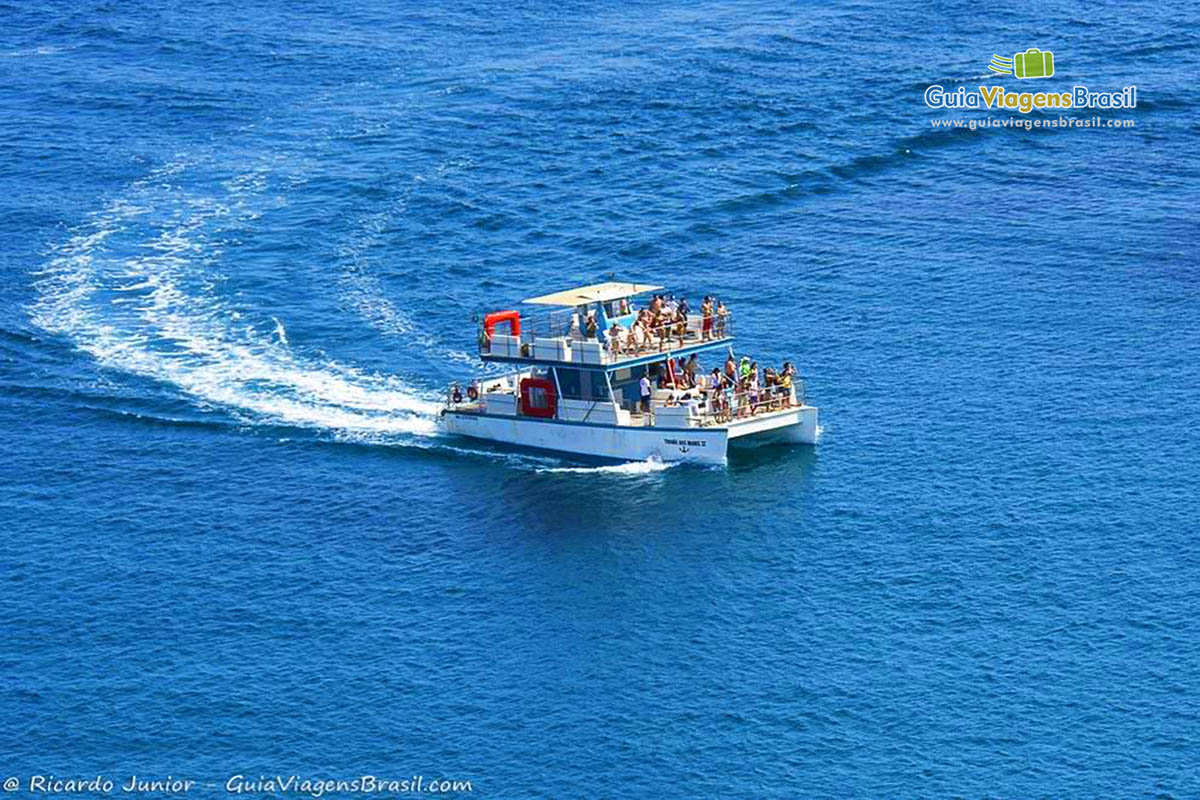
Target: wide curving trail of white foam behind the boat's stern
(149, 309)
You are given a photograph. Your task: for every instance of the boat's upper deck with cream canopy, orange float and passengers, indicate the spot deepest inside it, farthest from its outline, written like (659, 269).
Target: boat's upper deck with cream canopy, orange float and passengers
(602, 328)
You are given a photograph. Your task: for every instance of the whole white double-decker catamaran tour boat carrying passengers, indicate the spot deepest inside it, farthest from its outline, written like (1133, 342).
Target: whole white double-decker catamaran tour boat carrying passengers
(611, 371)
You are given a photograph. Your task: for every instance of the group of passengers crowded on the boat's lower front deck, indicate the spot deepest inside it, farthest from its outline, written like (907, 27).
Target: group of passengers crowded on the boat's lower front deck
(740, 389)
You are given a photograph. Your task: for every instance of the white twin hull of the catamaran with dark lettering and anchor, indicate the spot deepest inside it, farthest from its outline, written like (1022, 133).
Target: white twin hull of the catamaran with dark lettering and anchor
(635, 443)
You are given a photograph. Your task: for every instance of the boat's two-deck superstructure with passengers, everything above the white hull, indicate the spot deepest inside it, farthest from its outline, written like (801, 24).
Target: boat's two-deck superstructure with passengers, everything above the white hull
(583, 356)
